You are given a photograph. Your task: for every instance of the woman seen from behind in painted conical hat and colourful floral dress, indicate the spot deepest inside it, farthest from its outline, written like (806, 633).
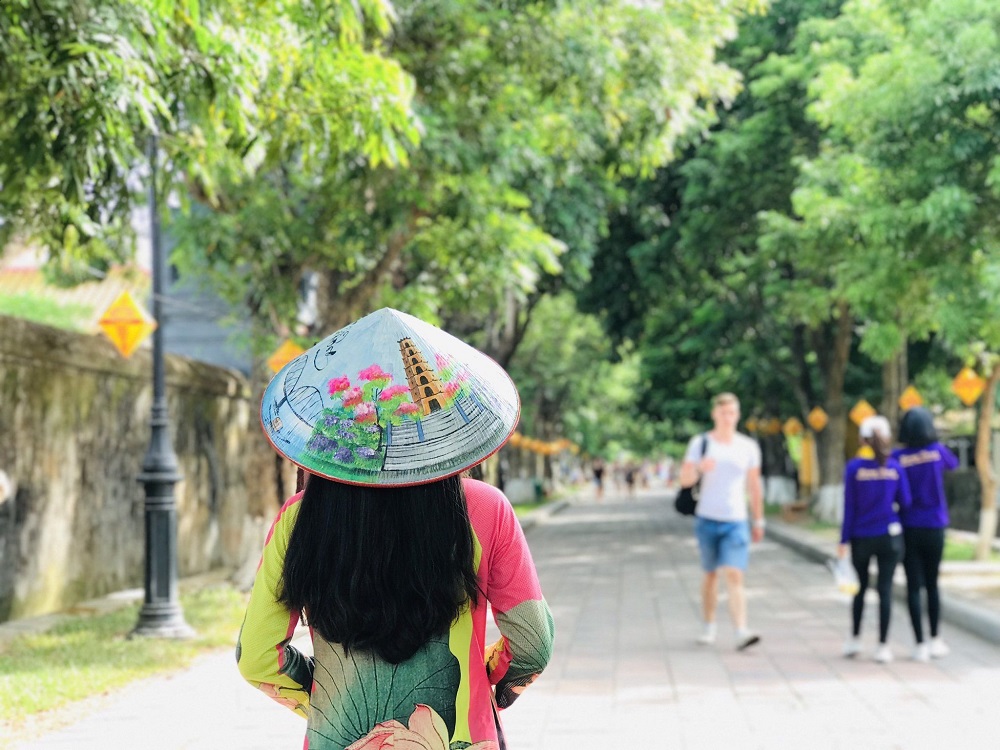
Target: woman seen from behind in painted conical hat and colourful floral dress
(389, 554)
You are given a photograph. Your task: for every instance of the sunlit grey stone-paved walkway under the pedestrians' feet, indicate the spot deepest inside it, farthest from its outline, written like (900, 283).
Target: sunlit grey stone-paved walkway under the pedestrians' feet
(622, 579)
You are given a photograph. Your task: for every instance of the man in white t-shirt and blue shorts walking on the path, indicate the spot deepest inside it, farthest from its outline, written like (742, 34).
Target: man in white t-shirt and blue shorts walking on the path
(728, 469)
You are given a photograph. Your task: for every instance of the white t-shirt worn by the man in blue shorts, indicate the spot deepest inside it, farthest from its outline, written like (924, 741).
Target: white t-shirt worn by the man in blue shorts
(723, 489)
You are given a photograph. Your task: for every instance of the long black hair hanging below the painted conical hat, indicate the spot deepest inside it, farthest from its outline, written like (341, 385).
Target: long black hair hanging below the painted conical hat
(380, 569)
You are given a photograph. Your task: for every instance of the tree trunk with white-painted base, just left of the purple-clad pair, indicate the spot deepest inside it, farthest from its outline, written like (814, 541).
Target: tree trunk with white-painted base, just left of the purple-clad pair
(830, 502)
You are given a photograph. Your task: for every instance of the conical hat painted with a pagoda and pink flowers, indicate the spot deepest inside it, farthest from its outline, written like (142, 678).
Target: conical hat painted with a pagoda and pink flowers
(389, 400)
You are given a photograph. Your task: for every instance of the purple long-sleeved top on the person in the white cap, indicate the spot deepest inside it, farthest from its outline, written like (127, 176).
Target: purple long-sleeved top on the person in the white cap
(871, 494)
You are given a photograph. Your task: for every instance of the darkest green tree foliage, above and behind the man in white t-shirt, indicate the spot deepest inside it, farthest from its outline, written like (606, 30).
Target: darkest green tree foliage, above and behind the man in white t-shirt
(682, 268)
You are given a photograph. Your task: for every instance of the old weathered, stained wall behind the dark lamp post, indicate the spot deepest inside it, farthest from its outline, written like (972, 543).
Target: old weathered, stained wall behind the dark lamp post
(74, 428)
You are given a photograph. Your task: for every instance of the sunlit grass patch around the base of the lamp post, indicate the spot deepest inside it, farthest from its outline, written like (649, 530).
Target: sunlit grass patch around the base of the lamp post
(86, 655)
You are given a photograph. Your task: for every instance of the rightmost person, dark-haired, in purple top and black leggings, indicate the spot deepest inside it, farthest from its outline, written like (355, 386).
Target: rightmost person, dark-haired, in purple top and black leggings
(924, 460)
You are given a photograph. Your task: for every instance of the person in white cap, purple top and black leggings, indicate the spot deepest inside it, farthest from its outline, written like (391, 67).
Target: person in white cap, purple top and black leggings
(874, 487)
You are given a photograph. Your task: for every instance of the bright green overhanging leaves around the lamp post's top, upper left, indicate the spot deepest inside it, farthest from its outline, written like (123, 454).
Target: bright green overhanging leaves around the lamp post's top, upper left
(87, 81)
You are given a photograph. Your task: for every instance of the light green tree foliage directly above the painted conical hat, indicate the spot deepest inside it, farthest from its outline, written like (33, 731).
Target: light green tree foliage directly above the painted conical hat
(531, 115)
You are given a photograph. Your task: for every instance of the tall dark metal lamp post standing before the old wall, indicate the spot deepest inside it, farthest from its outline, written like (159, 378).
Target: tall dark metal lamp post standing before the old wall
(161, 614)
